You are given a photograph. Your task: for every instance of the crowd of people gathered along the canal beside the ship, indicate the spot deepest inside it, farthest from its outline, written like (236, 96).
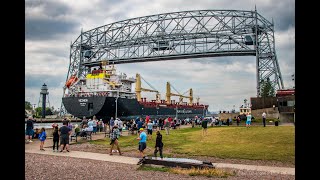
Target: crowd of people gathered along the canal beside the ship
(115, 126)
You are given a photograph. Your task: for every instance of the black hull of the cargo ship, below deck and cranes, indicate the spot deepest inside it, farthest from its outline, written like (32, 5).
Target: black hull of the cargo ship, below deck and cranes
(106, 107)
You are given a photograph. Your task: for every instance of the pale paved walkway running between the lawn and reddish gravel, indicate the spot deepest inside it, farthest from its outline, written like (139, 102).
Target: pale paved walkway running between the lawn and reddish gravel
(34, 148)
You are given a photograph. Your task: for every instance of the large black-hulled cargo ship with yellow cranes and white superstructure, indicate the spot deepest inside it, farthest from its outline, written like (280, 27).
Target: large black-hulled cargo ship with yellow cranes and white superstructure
(104, 93)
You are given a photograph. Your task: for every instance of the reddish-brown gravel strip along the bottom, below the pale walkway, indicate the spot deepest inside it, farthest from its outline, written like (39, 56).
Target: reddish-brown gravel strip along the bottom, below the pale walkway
(39, 166)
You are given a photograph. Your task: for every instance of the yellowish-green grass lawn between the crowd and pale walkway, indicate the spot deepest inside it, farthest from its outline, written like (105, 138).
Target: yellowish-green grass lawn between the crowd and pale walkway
(255, 143)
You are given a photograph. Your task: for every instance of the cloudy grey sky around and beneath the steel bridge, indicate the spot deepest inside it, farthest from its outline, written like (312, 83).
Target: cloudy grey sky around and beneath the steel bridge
(221, 82)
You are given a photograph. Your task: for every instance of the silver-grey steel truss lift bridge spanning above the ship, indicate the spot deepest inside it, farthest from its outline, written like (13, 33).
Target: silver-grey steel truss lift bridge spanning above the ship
(179, 35)
